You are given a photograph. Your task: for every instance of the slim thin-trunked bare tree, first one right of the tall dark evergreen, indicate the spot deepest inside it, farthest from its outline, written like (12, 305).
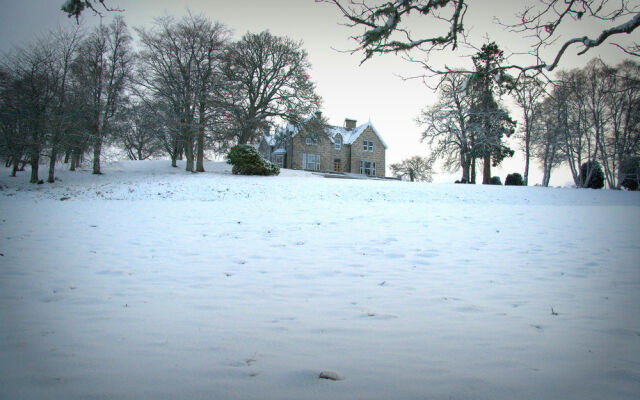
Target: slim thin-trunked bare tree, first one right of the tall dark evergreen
(527, 92)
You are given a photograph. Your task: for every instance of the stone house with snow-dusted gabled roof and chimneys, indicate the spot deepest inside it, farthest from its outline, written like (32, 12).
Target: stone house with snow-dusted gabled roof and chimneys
(347, 148)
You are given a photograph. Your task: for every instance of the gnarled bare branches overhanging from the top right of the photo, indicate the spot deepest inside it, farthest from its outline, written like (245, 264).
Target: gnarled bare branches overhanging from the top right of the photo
(386, 27)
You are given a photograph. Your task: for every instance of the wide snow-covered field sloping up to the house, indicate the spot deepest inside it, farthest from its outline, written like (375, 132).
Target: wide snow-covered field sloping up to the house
(151, 283)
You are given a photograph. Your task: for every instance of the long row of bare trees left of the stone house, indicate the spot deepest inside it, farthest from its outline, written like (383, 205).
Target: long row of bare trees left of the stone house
(188, 89)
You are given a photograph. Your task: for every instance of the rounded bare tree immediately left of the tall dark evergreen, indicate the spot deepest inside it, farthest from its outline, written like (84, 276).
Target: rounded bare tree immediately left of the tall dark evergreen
(446, 125)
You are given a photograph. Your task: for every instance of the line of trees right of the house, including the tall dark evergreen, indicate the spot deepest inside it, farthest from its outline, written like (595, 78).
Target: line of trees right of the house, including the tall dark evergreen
(587, 119)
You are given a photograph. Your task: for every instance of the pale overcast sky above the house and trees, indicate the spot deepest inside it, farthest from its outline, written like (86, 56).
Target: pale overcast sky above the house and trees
(372, 91)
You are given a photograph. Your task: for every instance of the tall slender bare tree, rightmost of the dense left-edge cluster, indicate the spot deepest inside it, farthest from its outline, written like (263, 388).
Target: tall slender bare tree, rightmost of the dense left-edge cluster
(103, 68)
